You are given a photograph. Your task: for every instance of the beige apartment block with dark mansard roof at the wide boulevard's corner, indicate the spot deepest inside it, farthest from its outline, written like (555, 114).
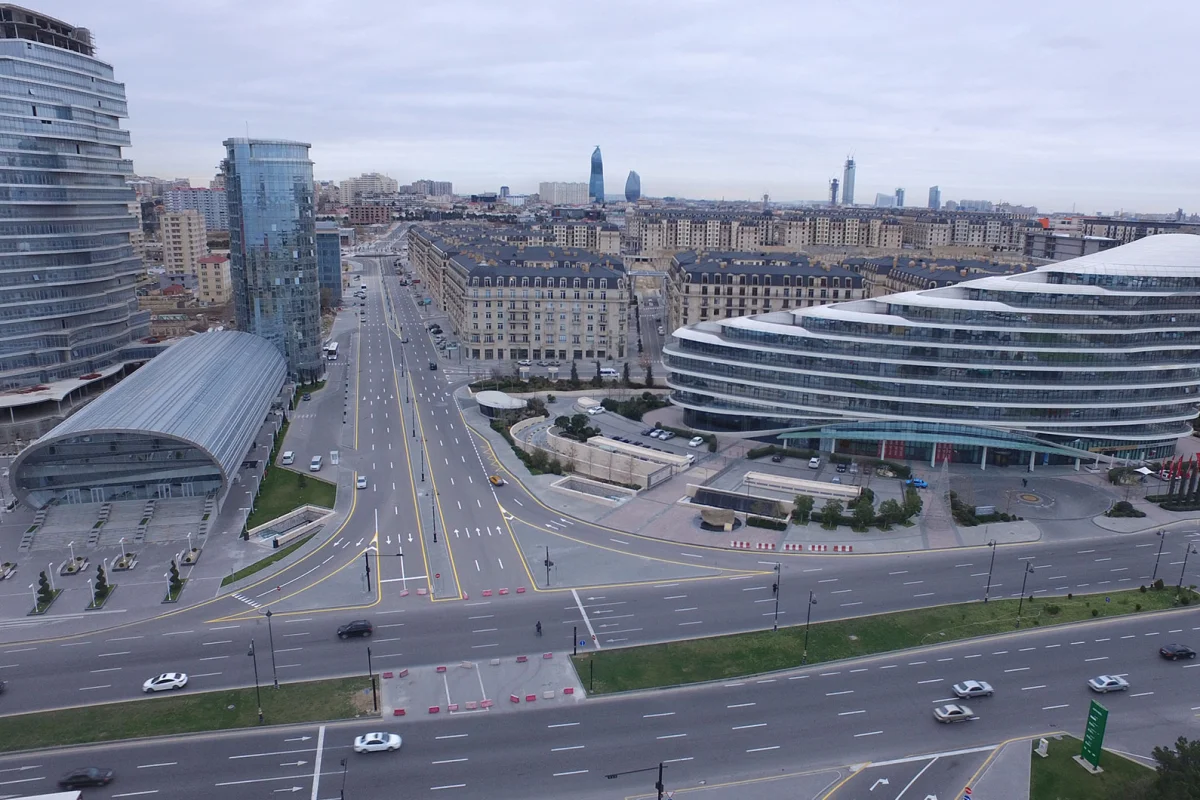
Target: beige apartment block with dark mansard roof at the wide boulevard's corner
(509, 303)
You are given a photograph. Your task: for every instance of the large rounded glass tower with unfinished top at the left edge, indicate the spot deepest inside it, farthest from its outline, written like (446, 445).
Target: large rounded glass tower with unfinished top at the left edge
(68, 270)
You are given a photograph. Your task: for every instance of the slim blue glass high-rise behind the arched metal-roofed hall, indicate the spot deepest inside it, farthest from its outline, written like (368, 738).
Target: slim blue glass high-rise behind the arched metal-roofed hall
(273, 249)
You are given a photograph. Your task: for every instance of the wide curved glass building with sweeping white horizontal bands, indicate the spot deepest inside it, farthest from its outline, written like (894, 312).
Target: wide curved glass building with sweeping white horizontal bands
(1094, 357)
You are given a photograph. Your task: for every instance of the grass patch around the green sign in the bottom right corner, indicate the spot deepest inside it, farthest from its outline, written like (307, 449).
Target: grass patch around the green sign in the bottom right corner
(1059, 778)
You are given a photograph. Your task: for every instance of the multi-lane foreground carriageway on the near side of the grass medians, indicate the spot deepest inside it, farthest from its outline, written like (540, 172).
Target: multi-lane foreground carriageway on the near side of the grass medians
(854, 713)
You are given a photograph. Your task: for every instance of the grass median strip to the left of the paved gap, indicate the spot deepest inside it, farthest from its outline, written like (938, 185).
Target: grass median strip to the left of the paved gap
(189, 713)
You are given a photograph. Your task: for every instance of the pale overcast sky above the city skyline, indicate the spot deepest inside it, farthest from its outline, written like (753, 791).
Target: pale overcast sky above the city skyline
(1060, 105)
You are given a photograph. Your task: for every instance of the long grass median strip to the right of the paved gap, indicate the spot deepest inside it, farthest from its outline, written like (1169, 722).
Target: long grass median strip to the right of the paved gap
(747, 654)
